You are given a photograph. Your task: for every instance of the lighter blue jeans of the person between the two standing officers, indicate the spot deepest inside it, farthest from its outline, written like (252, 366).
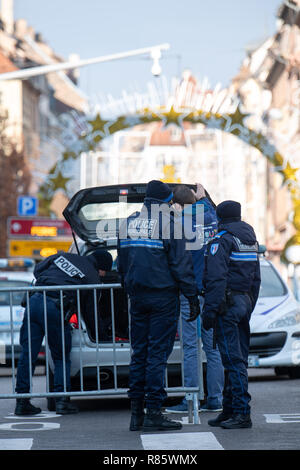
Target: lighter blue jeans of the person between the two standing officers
(214, 367)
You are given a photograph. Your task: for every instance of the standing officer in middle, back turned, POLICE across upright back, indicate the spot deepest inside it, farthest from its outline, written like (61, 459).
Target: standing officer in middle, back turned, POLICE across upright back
(154, 267)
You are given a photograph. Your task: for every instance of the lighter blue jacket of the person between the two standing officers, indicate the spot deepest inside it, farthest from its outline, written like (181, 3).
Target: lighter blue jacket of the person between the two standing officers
(204, 227)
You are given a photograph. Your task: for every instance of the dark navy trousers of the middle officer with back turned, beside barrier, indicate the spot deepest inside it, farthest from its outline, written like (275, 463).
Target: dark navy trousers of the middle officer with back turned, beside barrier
(154, 319)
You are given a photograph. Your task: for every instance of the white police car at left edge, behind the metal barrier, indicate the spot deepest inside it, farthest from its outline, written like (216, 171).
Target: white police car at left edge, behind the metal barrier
(13, 273)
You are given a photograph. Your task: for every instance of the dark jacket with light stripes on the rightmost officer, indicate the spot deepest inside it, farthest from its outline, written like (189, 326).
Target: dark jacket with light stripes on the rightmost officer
(231, 262)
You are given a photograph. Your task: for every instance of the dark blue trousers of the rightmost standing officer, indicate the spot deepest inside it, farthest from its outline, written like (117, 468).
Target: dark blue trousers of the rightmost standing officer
(233, 338)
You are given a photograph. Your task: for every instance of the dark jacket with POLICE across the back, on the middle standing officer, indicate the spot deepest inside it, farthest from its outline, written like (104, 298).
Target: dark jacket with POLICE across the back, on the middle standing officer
(151, 257)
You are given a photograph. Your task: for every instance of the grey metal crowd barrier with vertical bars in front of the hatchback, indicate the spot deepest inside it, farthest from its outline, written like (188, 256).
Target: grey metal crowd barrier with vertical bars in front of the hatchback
(107, 355)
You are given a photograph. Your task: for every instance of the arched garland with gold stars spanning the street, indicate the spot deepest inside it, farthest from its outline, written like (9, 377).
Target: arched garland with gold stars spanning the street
(233, 123)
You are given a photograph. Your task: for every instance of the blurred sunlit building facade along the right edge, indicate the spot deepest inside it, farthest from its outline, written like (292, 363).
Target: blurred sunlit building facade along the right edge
(268, 84)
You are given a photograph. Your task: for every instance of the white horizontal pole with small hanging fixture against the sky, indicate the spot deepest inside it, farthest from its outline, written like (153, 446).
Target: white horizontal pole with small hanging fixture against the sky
(155, 54)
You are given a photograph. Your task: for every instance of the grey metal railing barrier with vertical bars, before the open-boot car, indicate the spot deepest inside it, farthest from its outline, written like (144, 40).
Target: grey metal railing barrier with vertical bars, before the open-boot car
(90, 352)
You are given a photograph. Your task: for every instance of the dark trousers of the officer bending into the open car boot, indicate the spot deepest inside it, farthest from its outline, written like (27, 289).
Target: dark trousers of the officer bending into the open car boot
(37, 331)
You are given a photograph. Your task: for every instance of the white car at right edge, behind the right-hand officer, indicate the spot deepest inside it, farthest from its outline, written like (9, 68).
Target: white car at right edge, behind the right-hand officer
(275, 325)
